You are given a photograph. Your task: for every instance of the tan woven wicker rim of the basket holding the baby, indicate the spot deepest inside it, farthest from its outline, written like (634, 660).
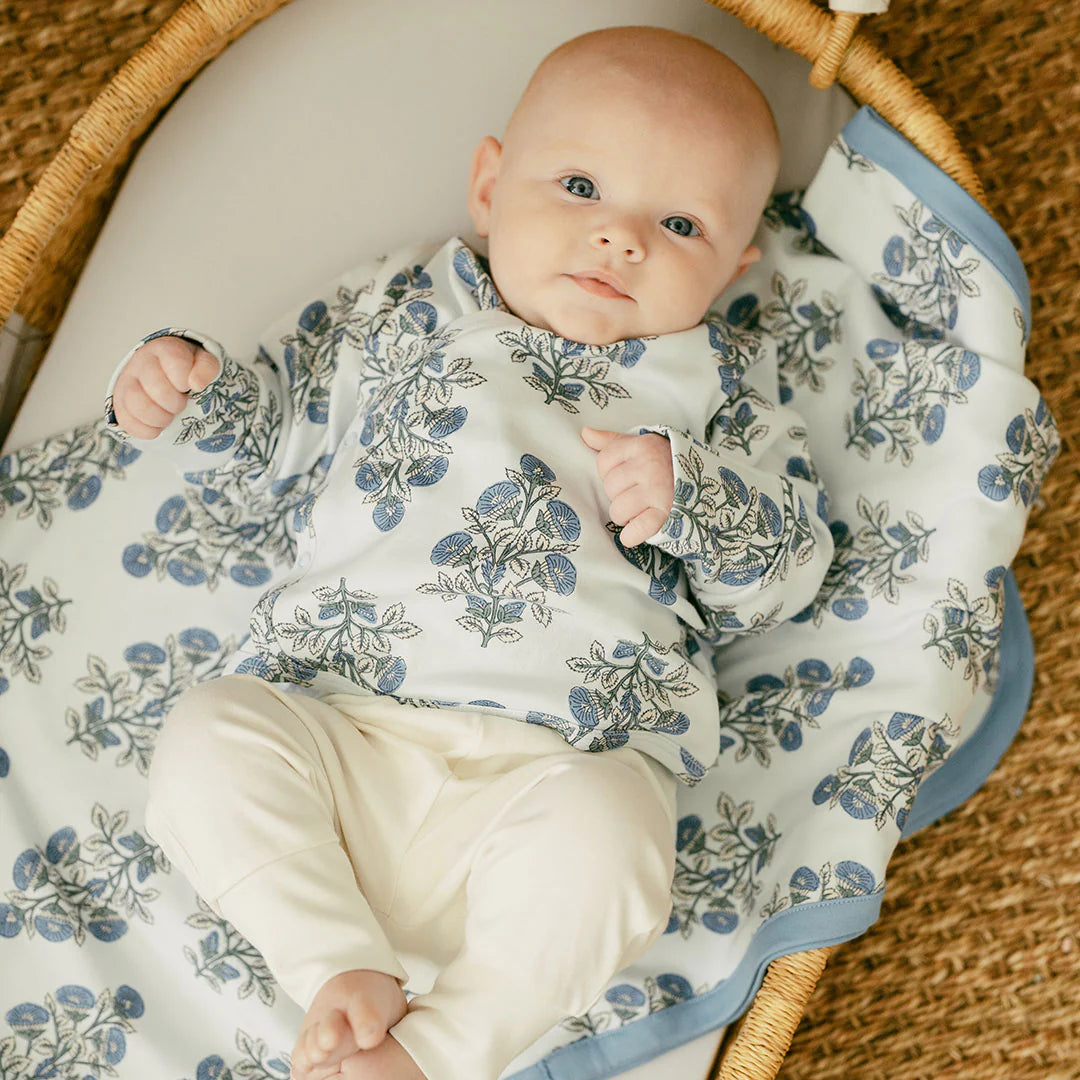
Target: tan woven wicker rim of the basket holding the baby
(46, 247)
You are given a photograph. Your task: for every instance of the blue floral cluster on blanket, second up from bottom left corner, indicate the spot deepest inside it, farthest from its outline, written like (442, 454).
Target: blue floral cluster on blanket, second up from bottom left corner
(61, 894)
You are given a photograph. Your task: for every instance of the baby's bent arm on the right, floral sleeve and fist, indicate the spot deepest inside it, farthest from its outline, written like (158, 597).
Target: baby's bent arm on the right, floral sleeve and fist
(746, 518)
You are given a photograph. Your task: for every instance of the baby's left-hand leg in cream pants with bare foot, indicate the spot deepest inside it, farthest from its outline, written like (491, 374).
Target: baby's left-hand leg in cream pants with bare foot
(242, 802)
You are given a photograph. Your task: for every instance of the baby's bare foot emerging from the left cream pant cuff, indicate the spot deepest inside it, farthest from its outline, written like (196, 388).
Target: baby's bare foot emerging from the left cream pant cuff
(353, 1012)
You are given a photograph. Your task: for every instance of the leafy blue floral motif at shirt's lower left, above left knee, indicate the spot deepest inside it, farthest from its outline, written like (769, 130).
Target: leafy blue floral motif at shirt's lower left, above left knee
(347, 637)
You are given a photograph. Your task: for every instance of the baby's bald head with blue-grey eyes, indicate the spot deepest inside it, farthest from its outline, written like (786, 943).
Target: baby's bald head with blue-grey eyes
(628, 186)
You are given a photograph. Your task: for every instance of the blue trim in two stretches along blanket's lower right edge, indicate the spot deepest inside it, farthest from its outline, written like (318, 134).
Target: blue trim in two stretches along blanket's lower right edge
(828, 923)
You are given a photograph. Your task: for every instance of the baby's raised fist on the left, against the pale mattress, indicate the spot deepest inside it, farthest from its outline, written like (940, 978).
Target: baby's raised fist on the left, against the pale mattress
(154, 385)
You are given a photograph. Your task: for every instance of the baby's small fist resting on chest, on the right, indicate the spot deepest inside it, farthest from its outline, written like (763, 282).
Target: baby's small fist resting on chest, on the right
(638, 477)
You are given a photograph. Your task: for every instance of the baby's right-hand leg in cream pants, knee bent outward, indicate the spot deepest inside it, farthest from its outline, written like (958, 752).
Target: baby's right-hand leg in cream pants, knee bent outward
(570, 884)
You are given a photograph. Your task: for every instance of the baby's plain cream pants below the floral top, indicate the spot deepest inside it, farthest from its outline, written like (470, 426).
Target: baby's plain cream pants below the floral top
(350, 832)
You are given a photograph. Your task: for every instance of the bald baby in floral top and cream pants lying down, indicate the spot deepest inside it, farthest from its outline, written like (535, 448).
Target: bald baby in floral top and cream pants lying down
(525, 489)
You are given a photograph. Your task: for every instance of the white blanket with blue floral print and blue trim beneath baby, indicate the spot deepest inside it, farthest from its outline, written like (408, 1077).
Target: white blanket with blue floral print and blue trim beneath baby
(901, 314)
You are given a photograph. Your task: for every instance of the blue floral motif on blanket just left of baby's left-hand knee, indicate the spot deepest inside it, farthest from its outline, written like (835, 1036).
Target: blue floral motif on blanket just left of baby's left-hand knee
(127, 709)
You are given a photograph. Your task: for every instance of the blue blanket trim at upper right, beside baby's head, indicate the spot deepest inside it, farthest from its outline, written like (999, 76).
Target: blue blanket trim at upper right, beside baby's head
(874, 139)
